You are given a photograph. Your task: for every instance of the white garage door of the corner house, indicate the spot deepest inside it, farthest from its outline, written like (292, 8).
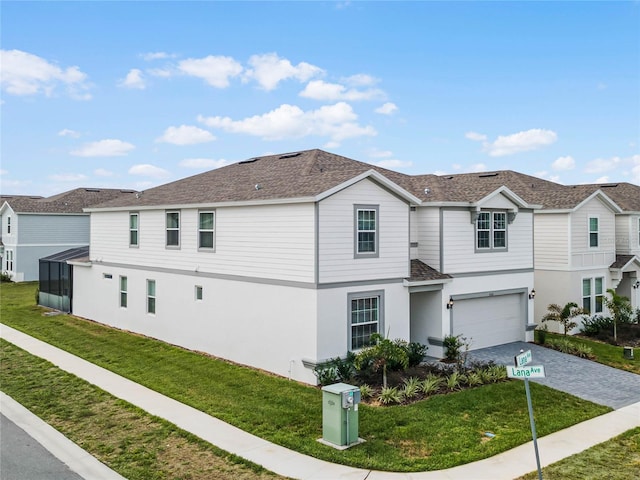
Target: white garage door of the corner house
(489, 321)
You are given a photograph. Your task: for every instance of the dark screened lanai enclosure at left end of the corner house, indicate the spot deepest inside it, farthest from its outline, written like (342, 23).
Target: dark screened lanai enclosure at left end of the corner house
(56, 279)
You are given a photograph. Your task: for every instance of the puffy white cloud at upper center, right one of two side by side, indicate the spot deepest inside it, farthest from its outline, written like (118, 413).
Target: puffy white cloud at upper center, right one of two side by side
(270, 69)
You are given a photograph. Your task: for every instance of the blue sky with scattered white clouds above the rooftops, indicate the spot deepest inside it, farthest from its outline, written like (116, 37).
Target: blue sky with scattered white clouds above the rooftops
(137, 94)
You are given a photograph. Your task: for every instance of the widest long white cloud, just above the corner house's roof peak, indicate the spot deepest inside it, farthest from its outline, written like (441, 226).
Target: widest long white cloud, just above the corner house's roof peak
(337, 122)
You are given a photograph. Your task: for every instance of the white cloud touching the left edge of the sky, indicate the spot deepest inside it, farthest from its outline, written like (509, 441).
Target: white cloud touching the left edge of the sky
(23, 73)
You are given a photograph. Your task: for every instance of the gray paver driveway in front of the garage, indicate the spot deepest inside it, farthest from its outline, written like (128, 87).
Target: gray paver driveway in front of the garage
(583, 378)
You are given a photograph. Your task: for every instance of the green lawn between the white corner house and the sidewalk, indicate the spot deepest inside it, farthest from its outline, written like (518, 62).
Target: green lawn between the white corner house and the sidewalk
(437, 433)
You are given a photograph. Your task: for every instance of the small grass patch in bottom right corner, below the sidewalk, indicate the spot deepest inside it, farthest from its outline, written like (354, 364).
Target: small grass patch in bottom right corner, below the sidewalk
(615, 459)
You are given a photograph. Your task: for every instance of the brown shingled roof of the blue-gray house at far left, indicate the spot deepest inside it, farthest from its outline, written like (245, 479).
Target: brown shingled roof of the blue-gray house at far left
(73, 201)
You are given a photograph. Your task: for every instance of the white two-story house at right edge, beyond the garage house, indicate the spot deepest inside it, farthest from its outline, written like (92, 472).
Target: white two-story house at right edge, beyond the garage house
(587, 240)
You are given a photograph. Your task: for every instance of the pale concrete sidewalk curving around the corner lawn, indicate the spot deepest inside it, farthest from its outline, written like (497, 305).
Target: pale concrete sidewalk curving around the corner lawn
(507, 465)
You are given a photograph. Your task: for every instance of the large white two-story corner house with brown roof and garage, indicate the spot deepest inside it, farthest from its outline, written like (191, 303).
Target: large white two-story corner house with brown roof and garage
(283, 261)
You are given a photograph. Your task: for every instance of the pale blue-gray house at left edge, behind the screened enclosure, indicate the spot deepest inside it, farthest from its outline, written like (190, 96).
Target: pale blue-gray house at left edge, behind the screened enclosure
(35, 227)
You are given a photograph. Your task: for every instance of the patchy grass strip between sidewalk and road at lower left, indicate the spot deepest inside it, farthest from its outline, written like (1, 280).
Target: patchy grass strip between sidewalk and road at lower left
(127, 439)
